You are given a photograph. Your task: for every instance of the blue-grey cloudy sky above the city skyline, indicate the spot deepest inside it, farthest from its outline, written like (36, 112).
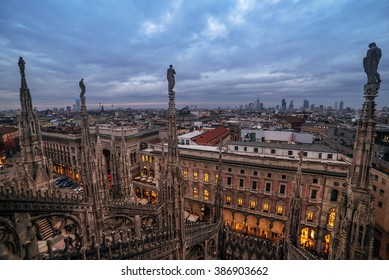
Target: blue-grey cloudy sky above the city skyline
(225, 53)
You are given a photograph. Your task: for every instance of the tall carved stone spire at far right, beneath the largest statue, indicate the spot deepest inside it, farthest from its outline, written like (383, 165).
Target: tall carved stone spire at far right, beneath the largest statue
(352, 237)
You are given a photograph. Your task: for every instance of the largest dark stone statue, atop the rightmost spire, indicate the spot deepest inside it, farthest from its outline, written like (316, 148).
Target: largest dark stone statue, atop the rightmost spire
(370, 64)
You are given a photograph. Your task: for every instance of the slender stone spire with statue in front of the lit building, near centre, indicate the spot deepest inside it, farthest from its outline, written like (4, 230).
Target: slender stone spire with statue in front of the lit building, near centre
(172, 186)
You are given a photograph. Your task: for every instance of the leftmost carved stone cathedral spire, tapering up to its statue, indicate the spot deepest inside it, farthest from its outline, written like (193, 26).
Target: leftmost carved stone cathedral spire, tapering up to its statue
(35, 168)
